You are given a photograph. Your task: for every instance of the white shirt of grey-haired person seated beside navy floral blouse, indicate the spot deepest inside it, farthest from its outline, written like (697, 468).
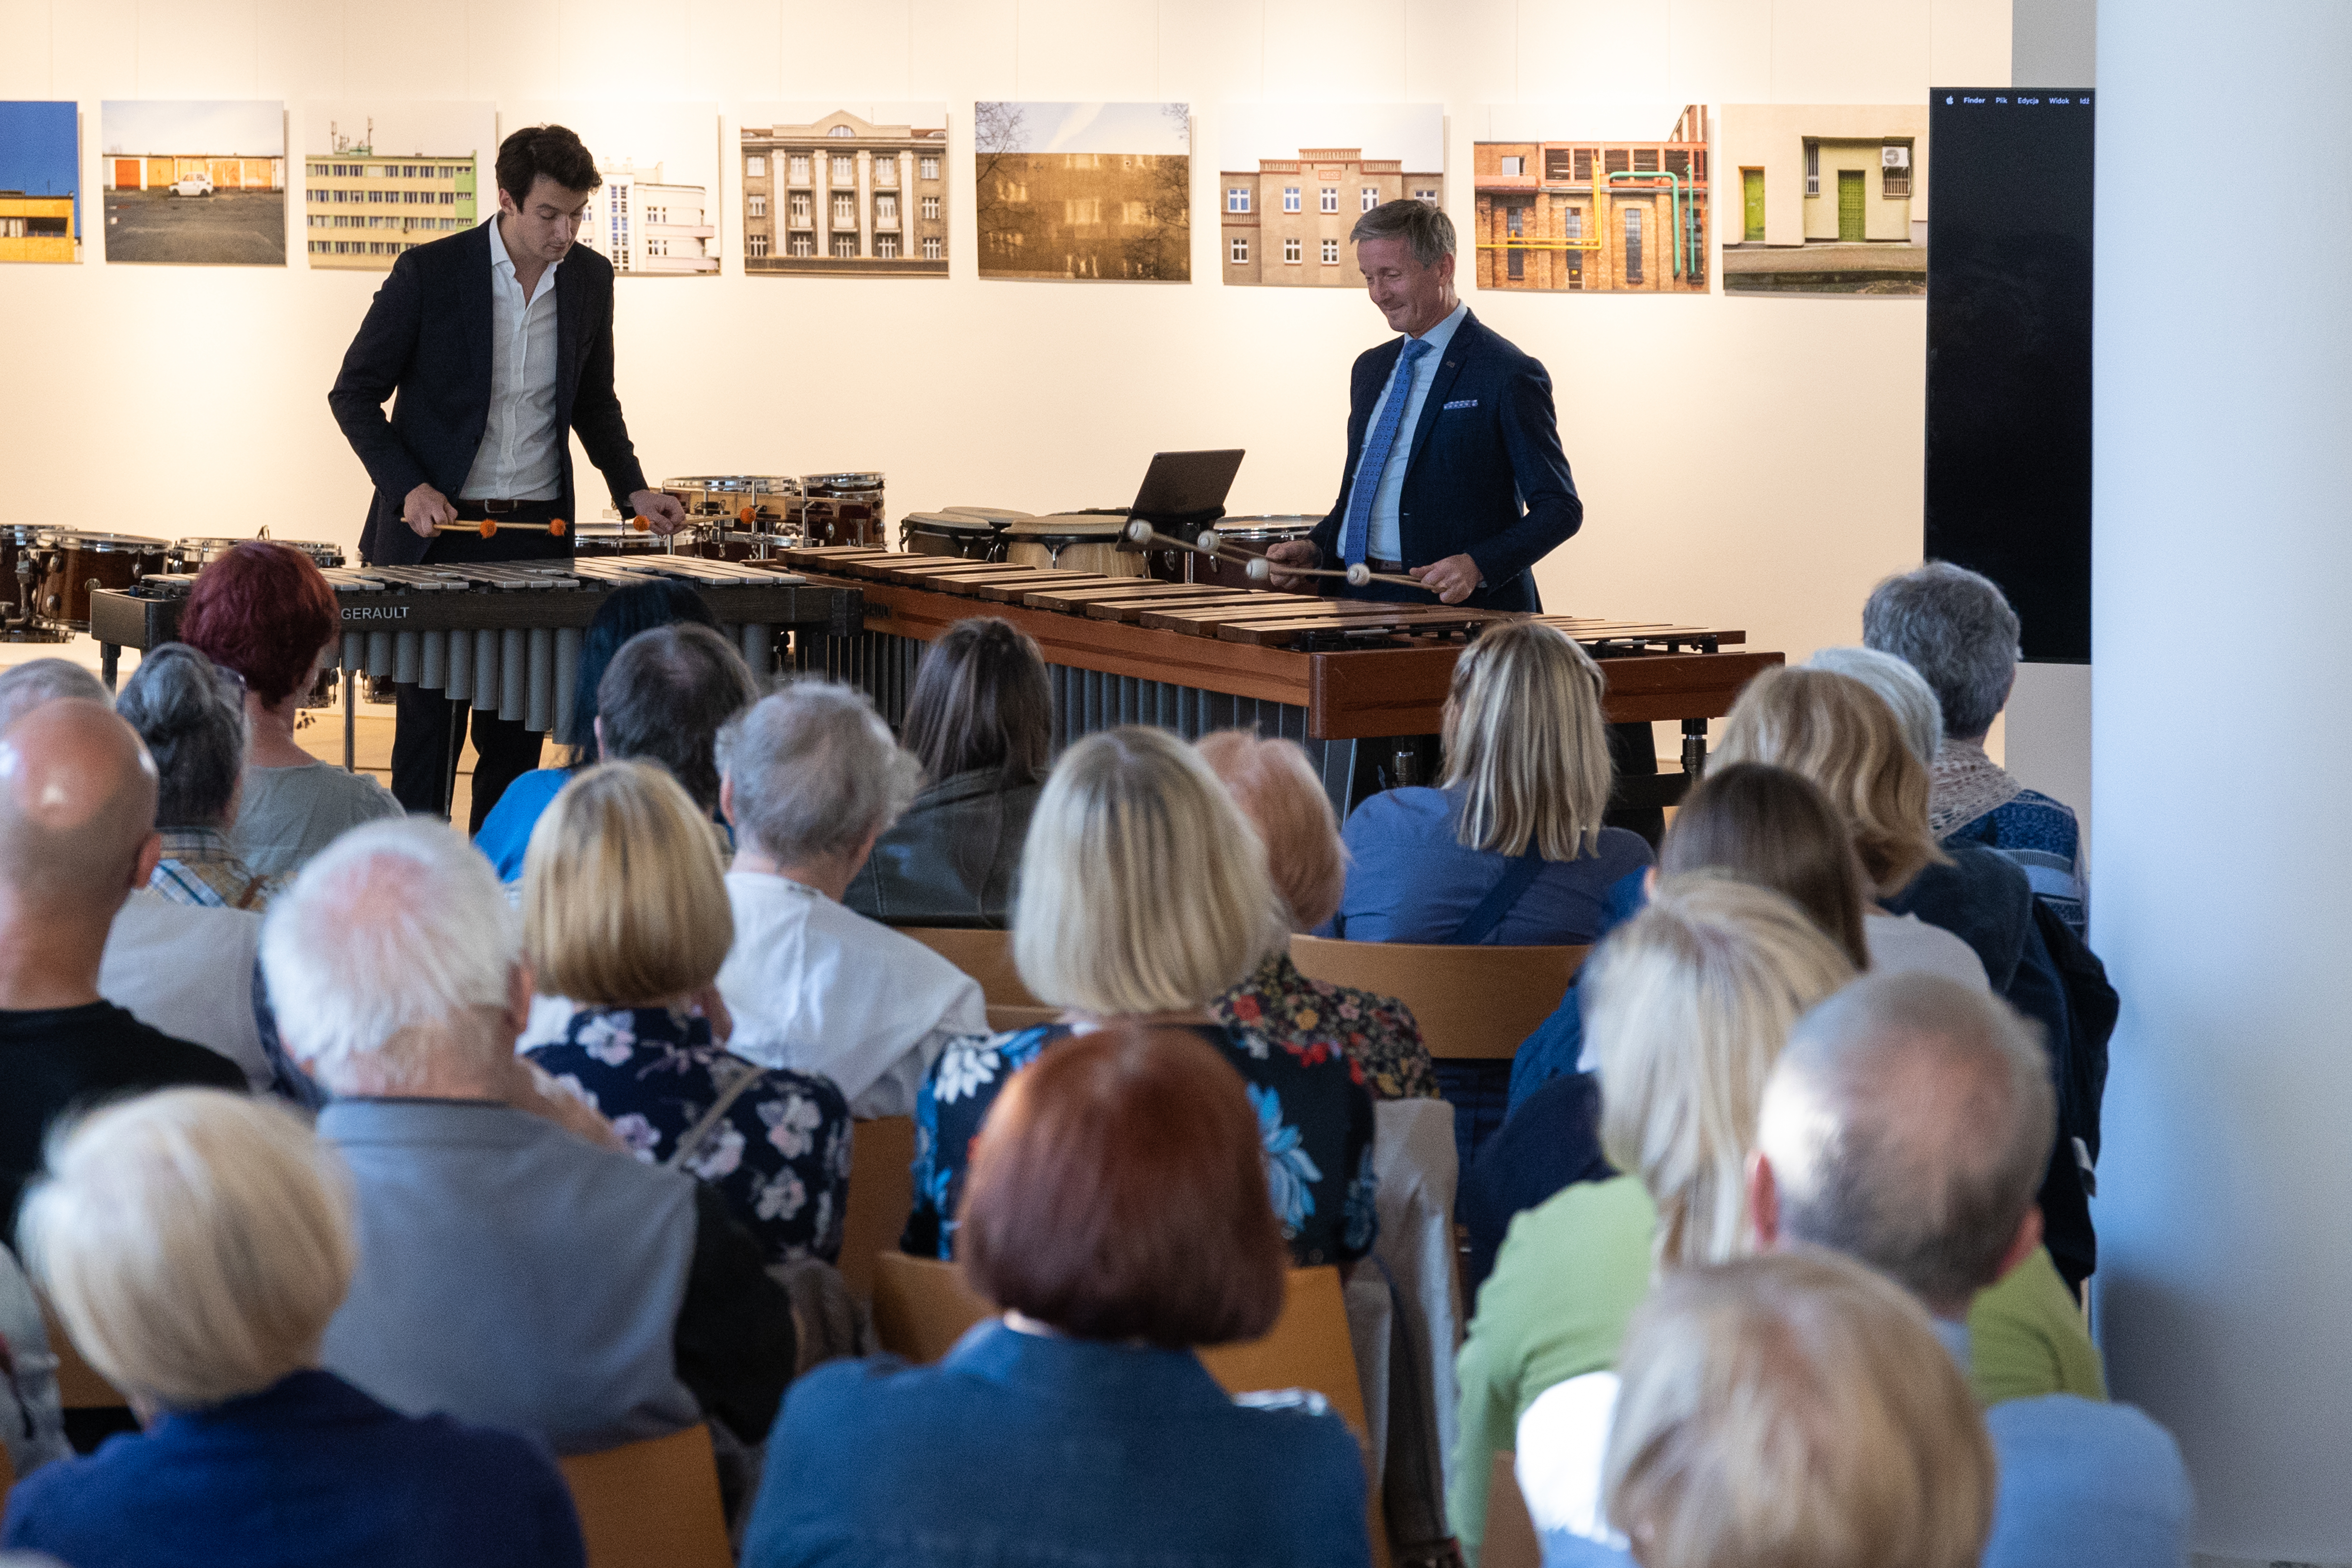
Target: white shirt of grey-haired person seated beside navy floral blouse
(820, 989)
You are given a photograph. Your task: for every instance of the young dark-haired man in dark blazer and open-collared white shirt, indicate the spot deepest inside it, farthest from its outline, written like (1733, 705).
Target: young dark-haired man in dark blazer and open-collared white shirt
(497, 344)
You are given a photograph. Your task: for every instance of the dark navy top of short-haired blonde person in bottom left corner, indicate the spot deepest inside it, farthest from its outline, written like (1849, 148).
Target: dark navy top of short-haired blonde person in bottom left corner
(307, 1473)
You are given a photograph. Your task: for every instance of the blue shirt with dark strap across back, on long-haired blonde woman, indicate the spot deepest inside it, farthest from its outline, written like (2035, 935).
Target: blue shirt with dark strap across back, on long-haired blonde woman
(1410, 880)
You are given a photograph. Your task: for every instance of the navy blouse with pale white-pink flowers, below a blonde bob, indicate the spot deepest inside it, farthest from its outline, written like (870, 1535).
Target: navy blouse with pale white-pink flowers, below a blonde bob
(782, 1153)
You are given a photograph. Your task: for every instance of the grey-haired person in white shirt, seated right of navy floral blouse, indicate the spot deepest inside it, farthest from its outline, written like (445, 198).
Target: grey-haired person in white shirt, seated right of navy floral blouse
(810, 784)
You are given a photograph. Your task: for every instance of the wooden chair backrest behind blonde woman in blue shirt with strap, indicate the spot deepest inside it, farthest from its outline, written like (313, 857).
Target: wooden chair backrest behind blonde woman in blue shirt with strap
(1471, 1003)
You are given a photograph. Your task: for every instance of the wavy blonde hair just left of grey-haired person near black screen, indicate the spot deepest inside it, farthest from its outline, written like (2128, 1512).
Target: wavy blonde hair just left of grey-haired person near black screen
(1843, 735)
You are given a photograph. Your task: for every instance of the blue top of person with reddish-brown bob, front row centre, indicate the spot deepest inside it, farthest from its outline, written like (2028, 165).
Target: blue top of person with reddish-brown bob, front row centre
(1027, 1449)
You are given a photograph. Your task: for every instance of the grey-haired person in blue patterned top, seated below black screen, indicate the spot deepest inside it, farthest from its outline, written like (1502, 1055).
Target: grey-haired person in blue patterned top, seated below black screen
(1963, 636)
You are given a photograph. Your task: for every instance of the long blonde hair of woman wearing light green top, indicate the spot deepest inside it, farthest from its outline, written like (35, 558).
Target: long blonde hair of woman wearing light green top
(1688, 1007)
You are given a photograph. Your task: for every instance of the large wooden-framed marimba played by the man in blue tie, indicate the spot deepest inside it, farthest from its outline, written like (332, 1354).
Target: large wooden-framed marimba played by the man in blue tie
(1196, 657)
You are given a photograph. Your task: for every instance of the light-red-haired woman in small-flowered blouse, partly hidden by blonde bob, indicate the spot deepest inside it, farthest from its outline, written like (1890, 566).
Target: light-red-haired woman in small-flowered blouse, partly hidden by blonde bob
(1276, 789)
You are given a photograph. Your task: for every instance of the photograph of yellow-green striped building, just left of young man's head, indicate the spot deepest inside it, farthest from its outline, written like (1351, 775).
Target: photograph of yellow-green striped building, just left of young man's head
(385, 177)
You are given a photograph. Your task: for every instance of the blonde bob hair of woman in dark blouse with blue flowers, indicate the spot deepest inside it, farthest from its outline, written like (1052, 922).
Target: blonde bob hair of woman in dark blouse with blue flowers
(1142, 885)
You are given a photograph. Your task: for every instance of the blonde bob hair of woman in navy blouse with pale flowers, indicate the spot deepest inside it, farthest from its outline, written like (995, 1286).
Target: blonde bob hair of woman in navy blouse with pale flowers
(624, 902)
